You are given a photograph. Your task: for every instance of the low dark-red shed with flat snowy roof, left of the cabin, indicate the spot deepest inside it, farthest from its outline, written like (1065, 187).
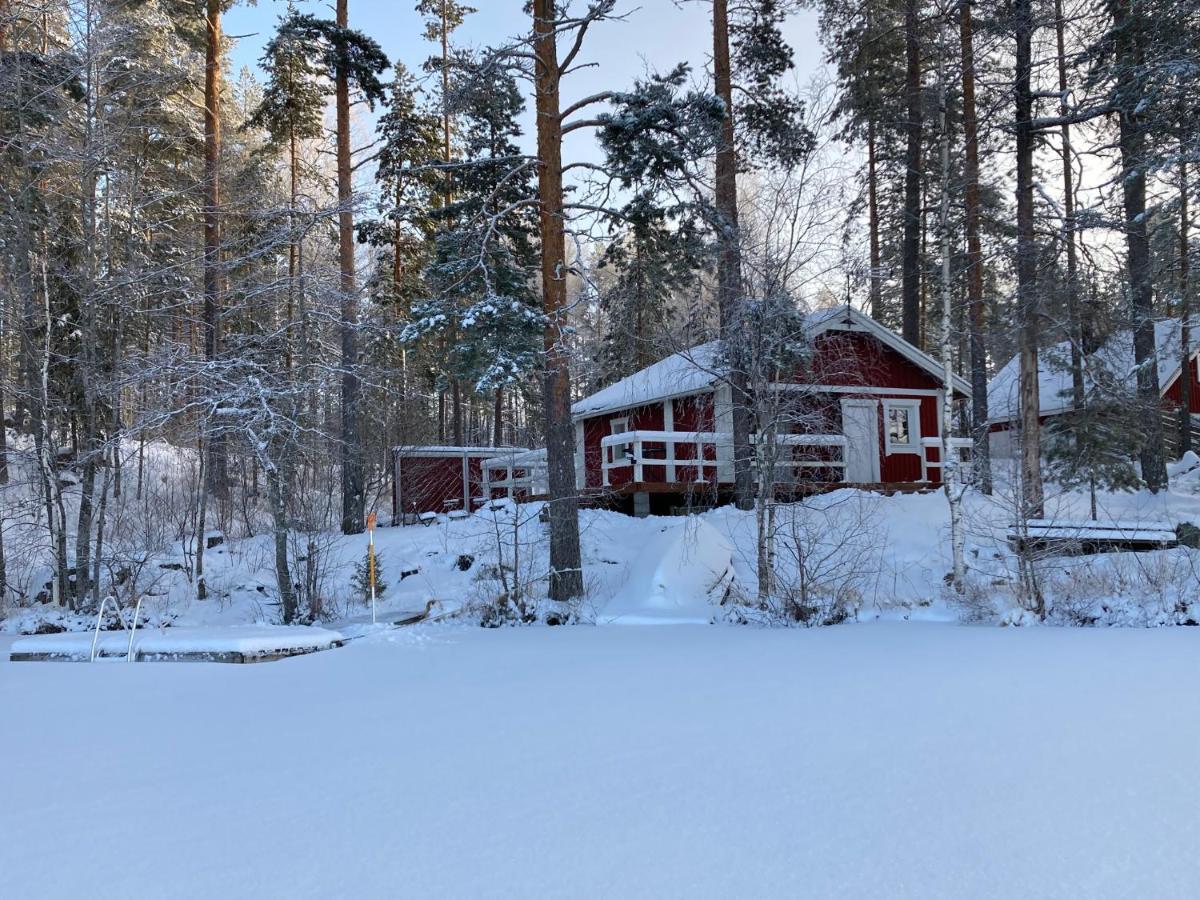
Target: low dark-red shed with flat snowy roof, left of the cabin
(440, 479)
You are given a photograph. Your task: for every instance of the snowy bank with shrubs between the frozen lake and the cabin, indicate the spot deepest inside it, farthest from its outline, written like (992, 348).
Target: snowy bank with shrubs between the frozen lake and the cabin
(865, 556)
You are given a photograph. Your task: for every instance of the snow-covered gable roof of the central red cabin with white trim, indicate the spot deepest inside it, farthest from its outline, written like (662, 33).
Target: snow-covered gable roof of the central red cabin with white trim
(699, 369)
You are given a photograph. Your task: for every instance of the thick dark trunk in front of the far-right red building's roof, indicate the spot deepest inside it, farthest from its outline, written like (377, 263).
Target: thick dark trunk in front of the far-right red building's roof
(1132, 142)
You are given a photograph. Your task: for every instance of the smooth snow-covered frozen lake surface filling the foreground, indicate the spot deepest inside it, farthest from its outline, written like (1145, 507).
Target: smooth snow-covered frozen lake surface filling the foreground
(898, 761)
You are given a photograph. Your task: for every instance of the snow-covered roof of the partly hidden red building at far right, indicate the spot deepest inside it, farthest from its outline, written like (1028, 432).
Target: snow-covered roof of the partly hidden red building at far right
(1113, 364)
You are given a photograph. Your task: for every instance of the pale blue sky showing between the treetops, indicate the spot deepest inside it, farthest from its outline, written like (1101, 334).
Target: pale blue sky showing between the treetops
(656, 35)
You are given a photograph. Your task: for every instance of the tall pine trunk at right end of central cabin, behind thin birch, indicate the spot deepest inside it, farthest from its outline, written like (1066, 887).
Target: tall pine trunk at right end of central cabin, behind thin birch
(982, 452)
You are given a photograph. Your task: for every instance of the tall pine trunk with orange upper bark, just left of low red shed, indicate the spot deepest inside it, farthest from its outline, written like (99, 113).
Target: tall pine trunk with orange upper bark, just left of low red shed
(353, 499)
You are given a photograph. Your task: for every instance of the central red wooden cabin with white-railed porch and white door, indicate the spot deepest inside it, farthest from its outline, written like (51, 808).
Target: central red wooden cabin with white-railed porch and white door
(866, 409)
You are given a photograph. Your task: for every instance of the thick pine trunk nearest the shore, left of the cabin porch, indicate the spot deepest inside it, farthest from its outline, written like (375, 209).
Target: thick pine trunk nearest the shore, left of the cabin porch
(566, 561)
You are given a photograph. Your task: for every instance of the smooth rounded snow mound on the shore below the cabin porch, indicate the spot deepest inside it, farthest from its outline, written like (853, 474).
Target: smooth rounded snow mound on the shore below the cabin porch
(677, 578)
